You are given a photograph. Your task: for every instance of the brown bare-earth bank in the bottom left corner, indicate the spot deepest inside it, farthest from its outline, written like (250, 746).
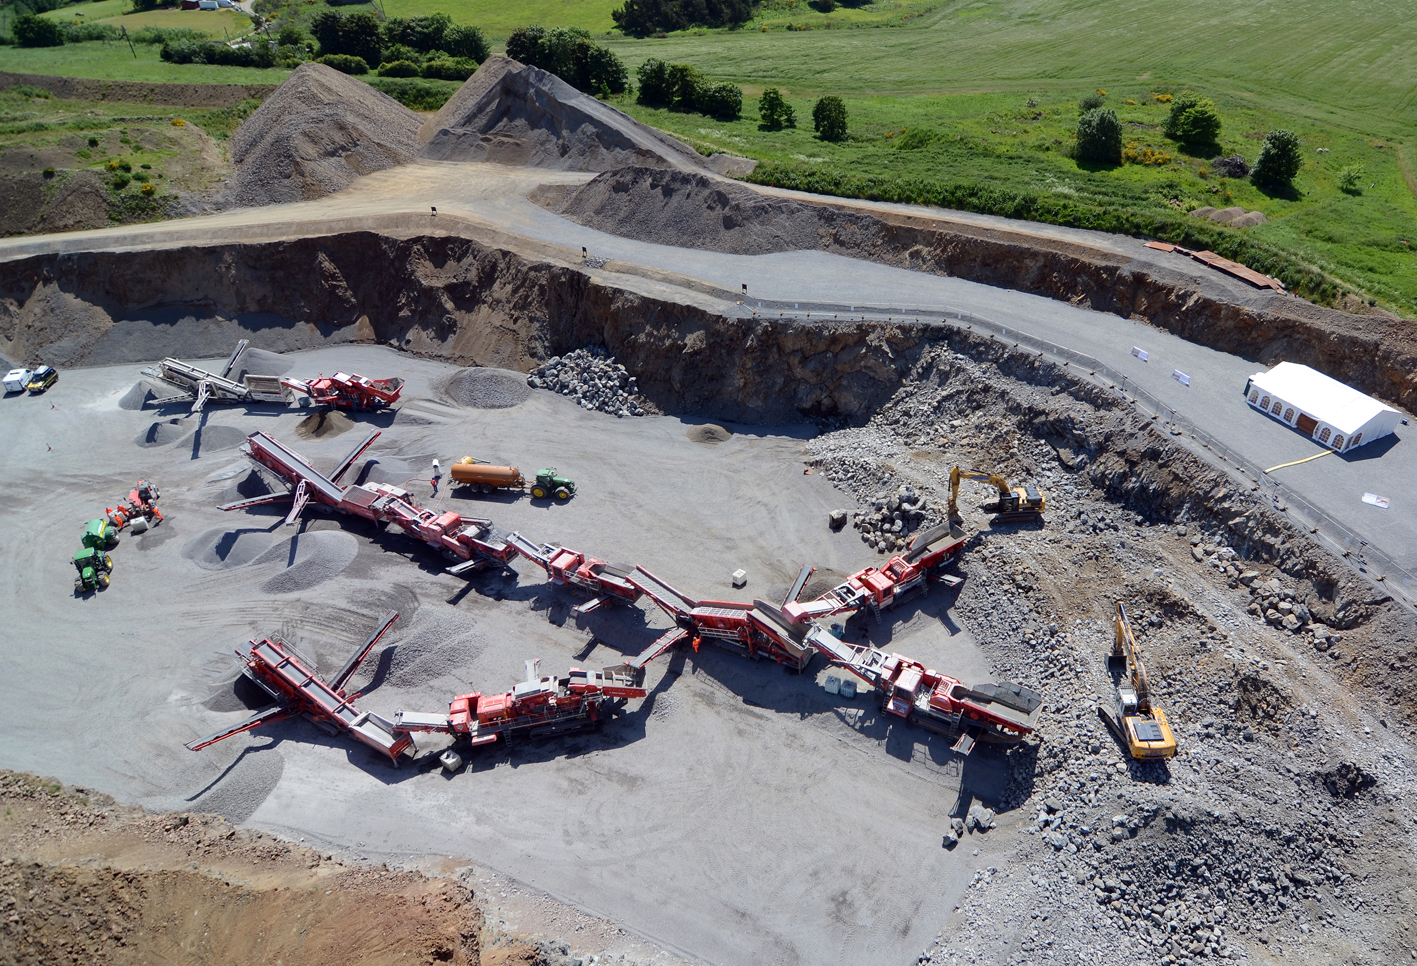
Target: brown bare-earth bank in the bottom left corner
(89, 882)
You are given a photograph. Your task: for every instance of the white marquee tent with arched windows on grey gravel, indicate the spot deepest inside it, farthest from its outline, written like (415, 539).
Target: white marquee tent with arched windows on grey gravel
(1336, 416)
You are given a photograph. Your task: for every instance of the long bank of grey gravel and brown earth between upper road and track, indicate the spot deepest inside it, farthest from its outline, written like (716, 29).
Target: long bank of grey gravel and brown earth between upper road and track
(1377, 355)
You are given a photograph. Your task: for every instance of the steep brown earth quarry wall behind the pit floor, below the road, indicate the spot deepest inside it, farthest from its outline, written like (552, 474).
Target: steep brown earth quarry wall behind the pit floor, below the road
(451, 298)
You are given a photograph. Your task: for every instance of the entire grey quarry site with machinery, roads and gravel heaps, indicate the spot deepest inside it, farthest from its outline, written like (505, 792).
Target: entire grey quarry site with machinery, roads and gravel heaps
(543, 549)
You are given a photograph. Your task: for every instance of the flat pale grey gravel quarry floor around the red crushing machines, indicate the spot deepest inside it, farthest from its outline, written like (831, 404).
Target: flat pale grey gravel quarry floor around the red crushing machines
(739, 814)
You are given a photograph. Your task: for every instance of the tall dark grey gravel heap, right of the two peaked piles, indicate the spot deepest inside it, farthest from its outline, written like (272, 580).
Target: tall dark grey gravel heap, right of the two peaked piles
(511, 114)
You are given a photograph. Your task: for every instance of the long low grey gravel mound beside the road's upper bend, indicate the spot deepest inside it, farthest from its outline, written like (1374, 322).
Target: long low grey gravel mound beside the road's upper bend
(694, 210)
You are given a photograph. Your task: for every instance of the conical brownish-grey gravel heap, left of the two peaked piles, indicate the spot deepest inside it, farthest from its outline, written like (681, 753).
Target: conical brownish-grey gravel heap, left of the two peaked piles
(315, 135)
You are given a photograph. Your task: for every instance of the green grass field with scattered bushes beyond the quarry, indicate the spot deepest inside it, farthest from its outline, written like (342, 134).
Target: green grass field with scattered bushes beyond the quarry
(966, 72)
